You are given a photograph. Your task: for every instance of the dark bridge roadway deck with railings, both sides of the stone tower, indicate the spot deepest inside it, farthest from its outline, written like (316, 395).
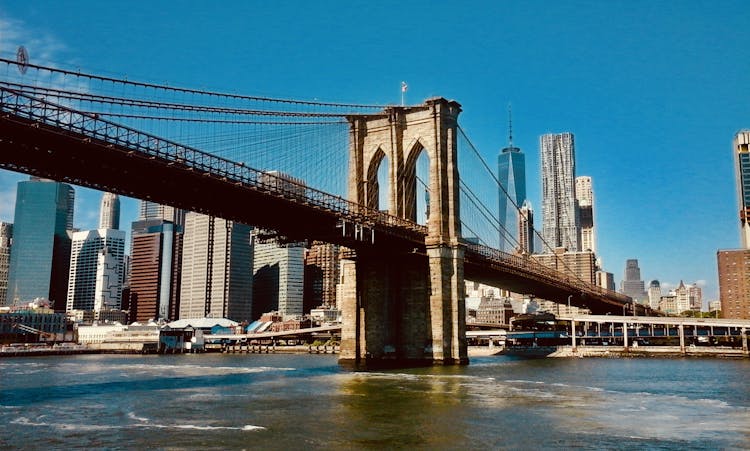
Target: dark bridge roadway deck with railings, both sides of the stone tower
(52, 141)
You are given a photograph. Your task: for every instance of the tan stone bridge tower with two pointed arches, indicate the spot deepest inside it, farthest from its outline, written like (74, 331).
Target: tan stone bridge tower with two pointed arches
(403, 307)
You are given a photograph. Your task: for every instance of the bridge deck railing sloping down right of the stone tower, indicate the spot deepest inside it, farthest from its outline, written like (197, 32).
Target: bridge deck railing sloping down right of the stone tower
(528, 265)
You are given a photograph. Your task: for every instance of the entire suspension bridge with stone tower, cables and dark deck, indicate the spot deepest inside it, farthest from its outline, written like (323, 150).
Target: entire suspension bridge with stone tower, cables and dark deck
(401, 188)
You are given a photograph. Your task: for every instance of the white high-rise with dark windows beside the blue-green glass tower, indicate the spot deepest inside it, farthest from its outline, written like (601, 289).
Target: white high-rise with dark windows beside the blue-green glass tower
(85, 254)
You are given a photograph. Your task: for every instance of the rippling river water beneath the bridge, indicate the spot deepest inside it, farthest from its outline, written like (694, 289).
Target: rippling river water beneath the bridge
(215, 401)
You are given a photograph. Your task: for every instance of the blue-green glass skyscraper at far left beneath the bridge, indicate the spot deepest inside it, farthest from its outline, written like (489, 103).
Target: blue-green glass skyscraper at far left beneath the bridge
(40, 259)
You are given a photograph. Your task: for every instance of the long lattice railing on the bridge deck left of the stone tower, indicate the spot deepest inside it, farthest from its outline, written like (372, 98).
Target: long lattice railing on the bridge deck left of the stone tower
(91, 126)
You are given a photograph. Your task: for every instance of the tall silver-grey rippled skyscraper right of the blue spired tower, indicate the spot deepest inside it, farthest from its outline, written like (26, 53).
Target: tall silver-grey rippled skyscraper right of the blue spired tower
(560, 220)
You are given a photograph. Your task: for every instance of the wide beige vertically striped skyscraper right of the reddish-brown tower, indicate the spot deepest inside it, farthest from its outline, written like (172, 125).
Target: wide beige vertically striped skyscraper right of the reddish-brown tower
(217, 265)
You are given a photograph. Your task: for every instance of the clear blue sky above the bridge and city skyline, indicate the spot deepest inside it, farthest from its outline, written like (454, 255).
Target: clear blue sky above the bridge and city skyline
(653, 91)
